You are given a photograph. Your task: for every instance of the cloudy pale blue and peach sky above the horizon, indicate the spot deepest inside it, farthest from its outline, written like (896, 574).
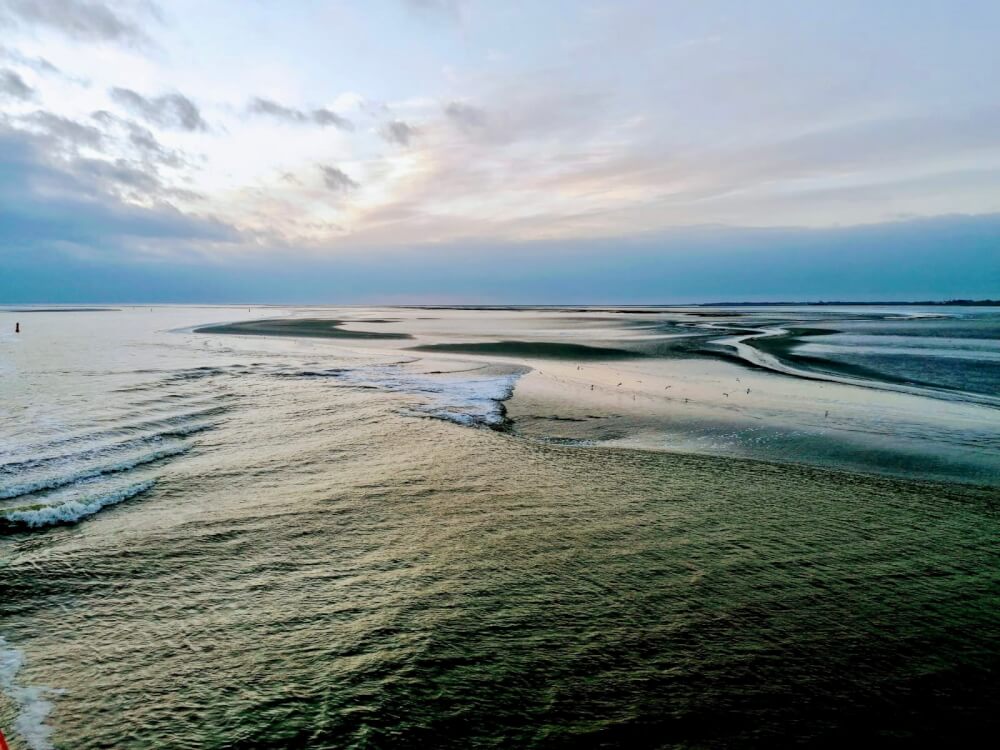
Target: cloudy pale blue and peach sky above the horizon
(462, 151)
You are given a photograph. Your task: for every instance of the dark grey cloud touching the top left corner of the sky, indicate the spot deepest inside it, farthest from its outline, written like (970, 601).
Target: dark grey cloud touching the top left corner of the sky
(87, 20)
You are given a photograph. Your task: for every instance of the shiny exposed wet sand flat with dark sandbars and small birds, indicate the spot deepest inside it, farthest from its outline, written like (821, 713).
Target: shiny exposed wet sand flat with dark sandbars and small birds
(672, 380)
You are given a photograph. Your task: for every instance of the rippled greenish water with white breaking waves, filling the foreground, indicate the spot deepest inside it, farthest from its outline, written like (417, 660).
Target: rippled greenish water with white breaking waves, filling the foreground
(281, 543)
